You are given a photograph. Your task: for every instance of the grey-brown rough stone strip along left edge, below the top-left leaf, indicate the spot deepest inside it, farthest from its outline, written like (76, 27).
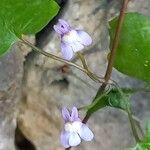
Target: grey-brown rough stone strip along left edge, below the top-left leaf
(11, 73)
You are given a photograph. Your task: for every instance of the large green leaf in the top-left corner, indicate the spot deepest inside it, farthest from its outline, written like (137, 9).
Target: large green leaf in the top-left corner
(18, 17)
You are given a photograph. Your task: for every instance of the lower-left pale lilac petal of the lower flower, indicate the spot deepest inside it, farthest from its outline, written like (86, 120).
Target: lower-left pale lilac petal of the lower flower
(64, 138)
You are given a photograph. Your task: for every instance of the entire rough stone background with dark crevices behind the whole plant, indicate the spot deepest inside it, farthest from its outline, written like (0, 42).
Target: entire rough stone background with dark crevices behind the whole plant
(33, 88)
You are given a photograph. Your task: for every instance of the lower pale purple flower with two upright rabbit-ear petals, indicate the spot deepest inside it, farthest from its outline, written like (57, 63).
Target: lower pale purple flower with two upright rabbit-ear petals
(74, 130)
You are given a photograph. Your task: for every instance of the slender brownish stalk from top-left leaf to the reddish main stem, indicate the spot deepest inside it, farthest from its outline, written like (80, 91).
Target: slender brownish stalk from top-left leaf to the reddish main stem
(91, 75)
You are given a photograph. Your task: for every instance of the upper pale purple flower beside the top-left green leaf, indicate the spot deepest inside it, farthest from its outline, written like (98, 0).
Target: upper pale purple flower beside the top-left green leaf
(71, 40)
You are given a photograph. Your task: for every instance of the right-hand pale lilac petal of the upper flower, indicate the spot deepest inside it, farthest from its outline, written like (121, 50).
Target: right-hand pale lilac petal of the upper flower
(84, 38)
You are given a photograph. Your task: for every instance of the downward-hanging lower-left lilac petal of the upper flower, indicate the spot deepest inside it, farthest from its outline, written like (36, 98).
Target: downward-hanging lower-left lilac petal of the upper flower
(66, 51)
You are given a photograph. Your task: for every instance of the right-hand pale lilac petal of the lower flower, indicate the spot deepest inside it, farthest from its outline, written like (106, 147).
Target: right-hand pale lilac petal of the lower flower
(85, 133)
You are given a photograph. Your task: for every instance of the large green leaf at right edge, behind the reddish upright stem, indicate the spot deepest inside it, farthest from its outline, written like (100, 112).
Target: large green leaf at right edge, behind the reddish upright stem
(133, 53)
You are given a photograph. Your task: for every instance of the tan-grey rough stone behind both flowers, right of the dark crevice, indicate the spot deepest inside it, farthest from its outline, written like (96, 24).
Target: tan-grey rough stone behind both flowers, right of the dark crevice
(46, 88)
